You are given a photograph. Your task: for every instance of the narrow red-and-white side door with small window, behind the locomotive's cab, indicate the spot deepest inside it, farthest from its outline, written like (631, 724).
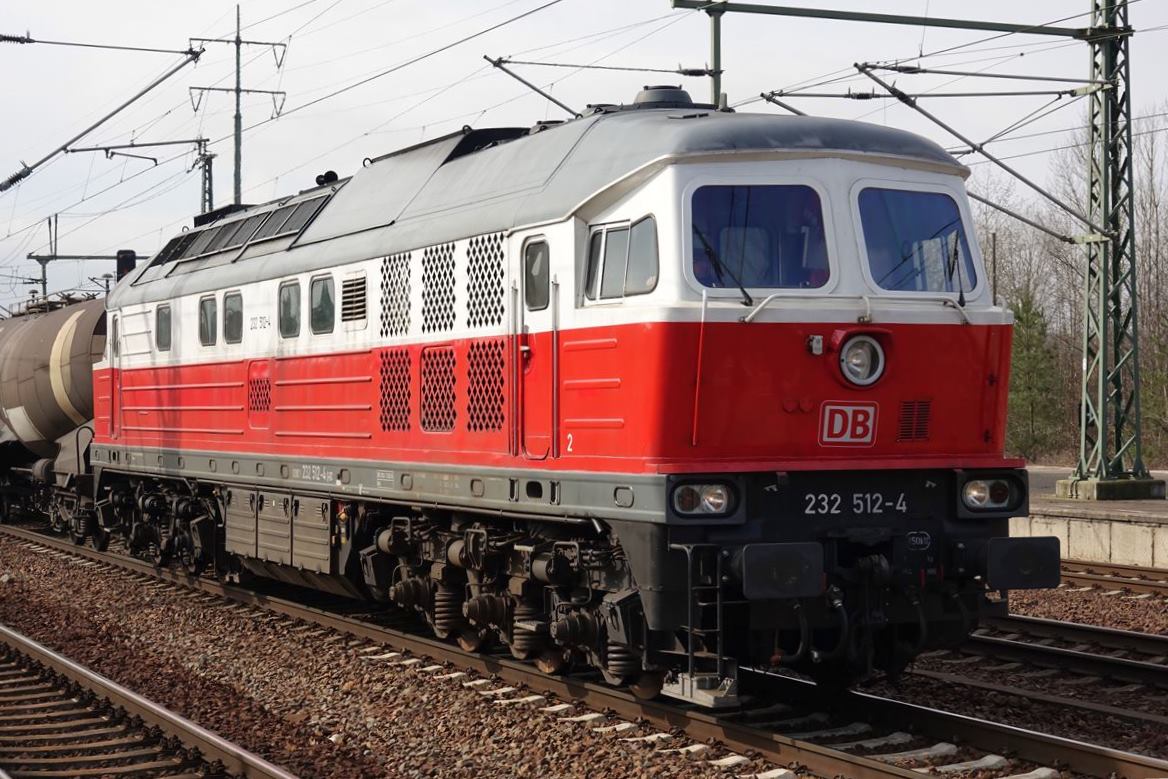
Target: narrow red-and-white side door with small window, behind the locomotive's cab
(538, 345)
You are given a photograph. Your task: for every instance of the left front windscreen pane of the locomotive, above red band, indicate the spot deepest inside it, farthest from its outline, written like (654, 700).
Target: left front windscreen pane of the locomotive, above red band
(768, 237)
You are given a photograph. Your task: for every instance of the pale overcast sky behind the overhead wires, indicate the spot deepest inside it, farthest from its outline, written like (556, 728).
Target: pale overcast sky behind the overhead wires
(53, 93)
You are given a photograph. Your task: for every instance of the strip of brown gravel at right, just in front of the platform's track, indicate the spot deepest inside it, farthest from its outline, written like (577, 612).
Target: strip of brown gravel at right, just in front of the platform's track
(1120, 611)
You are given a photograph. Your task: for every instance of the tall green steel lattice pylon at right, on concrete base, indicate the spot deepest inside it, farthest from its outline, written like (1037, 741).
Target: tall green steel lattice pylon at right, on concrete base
(1110, 415)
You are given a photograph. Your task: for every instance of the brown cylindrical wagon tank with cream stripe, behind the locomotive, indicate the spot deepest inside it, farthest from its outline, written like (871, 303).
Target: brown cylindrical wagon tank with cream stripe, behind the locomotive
(47, 377)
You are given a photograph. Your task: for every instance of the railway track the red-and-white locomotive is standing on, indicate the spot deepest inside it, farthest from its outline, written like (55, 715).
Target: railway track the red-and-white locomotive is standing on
(861, 735)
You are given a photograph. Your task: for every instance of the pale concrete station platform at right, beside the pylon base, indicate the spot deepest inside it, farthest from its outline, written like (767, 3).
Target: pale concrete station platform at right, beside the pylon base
(1124, 533)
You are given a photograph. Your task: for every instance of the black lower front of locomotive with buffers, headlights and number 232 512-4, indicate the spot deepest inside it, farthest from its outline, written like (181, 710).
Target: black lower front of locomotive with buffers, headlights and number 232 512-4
(832, 574)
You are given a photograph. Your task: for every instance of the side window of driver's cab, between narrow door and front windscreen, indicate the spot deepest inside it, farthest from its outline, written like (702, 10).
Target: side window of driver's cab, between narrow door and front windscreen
(623, 261)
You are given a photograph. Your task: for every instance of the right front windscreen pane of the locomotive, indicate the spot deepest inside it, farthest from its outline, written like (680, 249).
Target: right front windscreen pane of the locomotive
(916, 241)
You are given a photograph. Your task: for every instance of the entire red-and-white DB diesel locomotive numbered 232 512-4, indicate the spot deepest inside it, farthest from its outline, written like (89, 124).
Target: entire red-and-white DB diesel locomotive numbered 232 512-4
(664, 389)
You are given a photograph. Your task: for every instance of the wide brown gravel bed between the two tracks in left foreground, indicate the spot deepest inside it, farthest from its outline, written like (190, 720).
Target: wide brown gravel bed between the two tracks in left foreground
(302, 698)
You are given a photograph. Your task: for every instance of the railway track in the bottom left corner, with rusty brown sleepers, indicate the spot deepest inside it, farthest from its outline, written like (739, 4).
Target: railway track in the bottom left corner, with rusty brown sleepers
(59, 719)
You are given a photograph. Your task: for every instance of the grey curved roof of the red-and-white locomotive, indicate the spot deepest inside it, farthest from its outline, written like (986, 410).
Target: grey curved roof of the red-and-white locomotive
(441, 192)
